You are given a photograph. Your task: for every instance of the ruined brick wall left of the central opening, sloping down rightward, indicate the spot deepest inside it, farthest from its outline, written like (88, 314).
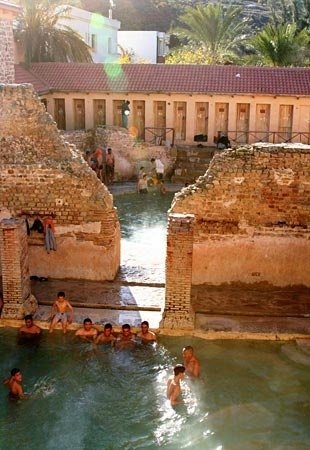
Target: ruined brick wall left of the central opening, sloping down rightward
(41, 174)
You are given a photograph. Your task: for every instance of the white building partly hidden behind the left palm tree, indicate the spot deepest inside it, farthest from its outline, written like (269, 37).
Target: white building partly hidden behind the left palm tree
(99, 32)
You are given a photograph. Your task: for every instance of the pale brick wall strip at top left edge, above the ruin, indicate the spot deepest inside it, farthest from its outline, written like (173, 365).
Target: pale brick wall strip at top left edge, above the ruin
(6, 52)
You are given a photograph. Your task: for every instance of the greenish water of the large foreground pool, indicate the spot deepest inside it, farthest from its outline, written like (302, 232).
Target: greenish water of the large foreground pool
(252, 395)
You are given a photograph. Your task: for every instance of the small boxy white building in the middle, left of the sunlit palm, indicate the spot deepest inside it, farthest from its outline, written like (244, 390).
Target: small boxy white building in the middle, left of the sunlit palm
(145, 46)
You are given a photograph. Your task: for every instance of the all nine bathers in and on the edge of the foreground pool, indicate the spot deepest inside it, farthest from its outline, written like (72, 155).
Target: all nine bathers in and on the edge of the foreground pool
(62, 311)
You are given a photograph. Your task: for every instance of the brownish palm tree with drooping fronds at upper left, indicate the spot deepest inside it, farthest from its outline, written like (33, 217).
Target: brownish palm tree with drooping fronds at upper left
(42, 39)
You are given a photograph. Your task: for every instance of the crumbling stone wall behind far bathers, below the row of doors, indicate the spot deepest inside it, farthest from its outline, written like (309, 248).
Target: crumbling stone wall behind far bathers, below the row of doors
(129, 154)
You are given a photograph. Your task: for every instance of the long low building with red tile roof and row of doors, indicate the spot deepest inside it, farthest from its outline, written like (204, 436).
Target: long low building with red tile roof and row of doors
(176, 103)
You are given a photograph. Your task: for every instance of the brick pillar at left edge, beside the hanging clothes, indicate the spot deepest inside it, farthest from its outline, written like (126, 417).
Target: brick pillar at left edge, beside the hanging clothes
(15, 269)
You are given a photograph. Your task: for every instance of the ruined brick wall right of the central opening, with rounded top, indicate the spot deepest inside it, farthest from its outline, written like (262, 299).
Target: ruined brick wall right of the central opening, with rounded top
(252, 210)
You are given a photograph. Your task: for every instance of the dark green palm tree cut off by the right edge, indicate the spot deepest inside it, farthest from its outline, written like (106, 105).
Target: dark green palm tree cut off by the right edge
(282, 45)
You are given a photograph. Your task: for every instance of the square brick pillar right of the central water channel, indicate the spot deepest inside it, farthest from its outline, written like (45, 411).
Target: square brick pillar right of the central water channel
(178, 311)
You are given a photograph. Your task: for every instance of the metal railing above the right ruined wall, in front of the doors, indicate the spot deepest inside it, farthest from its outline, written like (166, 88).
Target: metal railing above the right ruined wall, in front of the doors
(274, 137)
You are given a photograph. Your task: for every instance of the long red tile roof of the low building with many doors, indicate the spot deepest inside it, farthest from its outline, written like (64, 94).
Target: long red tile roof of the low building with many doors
(150, 78)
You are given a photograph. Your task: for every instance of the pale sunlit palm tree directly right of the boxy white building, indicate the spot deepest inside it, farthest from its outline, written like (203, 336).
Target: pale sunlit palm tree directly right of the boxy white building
(218, 30)
